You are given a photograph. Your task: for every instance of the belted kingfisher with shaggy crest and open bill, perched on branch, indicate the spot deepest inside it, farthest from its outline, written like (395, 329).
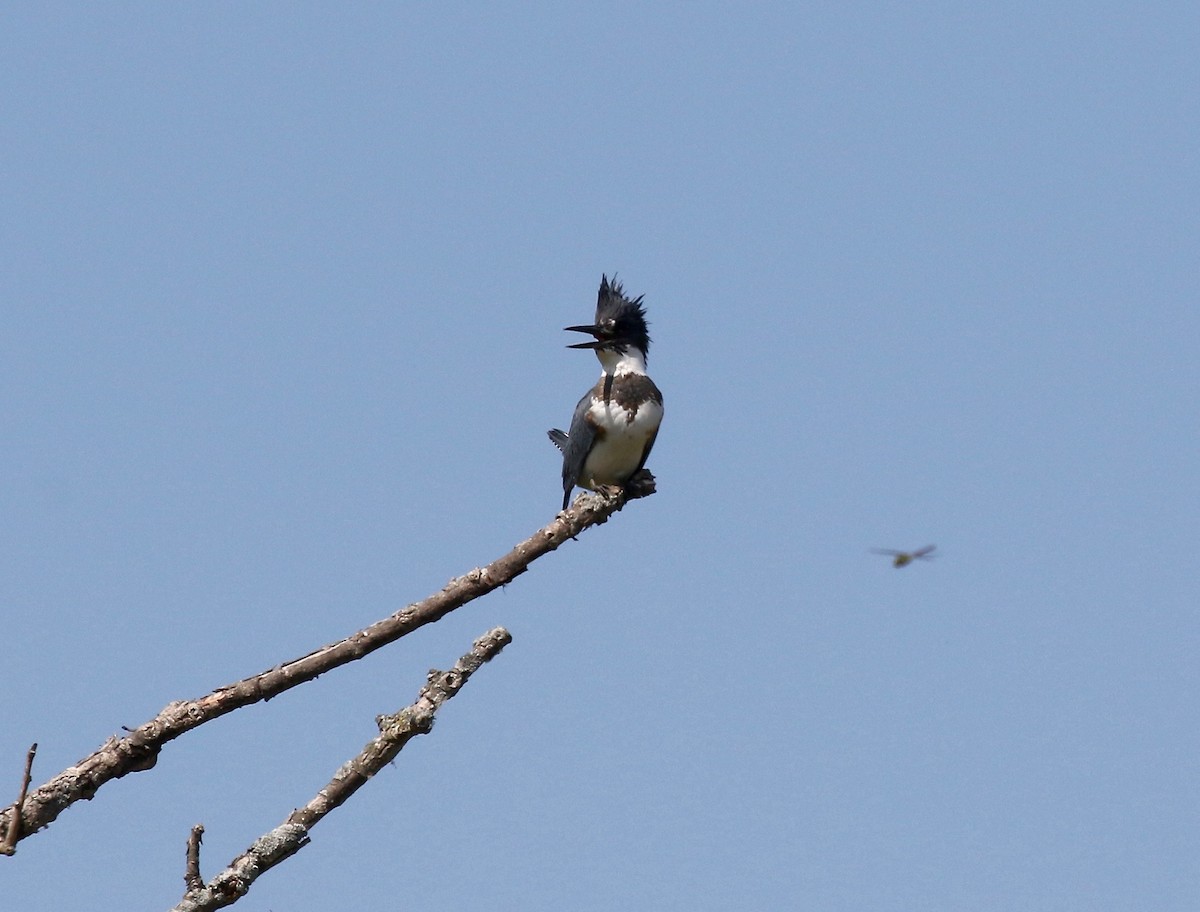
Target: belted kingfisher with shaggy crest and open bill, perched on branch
(617, 421)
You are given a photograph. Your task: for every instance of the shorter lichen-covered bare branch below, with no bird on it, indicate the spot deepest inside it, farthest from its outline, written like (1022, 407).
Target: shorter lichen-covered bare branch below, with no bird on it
(292, 836)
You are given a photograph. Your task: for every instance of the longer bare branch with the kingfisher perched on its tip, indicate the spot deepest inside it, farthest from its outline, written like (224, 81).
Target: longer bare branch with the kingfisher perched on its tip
(140, 749)
